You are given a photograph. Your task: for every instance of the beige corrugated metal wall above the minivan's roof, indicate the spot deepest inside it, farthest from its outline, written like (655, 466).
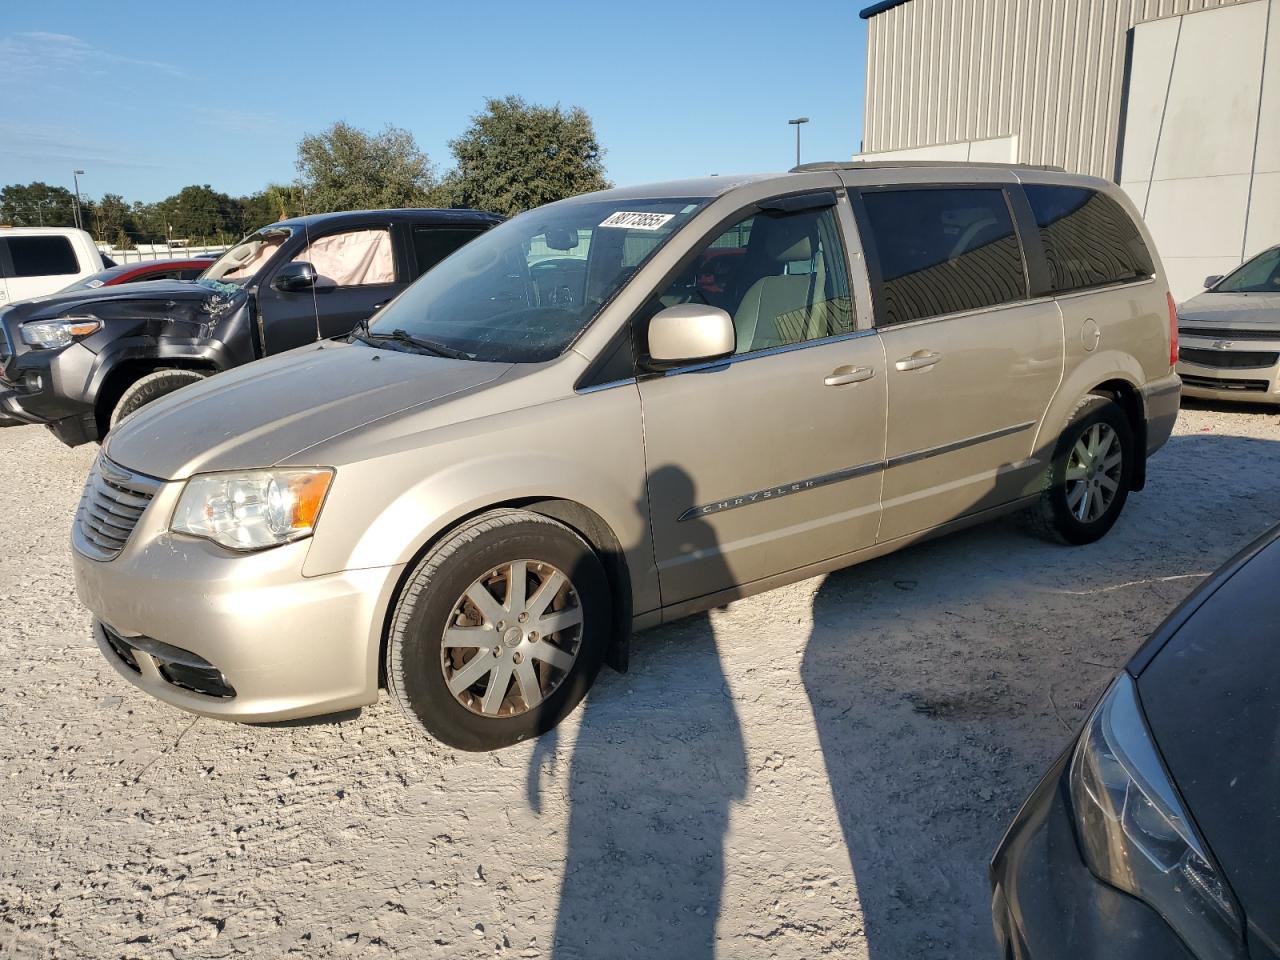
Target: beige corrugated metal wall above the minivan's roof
(1048, 71)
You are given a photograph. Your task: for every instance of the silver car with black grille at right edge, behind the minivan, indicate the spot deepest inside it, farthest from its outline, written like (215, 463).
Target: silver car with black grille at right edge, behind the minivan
(1231, 335)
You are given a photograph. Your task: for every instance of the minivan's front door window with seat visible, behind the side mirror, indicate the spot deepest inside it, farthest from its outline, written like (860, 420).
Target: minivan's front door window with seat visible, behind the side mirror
(781, 277)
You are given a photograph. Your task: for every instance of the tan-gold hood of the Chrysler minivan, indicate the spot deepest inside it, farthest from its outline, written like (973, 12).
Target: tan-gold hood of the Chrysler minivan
(268, 412)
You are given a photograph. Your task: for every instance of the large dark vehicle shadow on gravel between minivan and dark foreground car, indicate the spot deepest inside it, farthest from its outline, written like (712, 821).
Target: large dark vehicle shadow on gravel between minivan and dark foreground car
(944, 679)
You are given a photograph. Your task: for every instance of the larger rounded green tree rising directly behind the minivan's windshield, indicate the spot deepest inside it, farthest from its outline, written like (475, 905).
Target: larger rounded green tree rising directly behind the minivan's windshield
(519, 156)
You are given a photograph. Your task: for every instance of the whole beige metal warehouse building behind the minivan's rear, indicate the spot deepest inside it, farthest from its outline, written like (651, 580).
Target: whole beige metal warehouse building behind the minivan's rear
(1177, 100)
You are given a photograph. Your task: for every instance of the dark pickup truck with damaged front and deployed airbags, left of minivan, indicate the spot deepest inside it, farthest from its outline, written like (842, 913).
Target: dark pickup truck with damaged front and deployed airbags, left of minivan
(83, 360)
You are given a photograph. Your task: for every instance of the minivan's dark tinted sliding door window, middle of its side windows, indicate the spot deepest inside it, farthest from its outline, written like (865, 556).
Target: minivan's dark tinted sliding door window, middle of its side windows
(943, 252)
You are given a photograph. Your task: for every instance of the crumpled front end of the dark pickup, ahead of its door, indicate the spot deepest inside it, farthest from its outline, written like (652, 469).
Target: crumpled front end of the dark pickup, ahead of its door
(66, 360)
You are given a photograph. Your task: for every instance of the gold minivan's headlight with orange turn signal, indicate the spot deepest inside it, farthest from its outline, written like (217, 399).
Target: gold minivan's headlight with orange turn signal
(253, 510)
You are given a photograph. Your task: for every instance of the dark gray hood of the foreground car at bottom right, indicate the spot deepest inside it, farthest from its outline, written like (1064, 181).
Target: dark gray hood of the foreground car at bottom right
(1213, 701)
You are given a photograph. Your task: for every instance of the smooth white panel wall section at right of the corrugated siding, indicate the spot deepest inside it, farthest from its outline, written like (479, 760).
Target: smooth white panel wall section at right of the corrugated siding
(1201, 149)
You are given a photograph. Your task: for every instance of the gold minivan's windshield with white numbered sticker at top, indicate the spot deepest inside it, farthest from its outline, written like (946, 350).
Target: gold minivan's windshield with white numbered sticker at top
(525, 290)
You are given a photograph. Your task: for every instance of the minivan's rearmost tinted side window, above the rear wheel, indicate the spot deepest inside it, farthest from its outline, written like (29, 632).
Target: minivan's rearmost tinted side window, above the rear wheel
(1089, 239)
